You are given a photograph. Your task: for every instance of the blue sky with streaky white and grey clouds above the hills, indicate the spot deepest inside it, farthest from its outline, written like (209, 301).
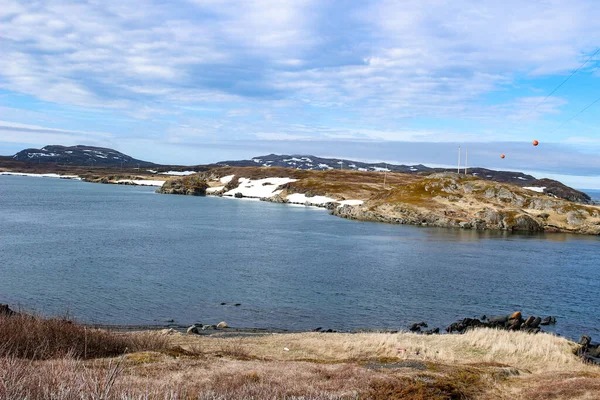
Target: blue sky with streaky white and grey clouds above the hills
(199, 81)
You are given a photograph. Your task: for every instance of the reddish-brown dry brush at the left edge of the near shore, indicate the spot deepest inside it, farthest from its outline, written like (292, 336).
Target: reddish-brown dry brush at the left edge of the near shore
(38, 338)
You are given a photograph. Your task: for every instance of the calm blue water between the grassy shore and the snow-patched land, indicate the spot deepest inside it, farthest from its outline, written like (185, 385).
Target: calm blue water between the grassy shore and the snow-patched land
(125, 255)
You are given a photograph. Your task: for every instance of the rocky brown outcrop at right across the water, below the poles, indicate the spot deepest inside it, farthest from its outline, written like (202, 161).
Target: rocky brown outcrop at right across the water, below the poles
(452, 200)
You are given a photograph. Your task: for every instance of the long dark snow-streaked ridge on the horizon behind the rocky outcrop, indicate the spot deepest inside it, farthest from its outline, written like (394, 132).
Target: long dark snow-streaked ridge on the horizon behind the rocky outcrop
(308, 162)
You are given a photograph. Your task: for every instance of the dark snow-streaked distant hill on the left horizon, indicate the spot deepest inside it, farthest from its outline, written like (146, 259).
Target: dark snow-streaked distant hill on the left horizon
(79, 155)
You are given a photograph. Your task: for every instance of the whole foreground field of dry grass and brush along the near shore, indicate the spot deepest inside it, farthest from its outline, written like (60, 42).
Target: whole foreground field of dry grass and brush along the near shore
(481, 364)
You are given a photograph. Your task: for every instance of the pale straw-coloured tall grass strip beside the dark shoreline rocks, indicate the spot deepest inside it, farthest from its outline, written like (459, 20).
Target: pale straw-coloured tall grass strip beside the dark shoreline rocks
(535, 353)
